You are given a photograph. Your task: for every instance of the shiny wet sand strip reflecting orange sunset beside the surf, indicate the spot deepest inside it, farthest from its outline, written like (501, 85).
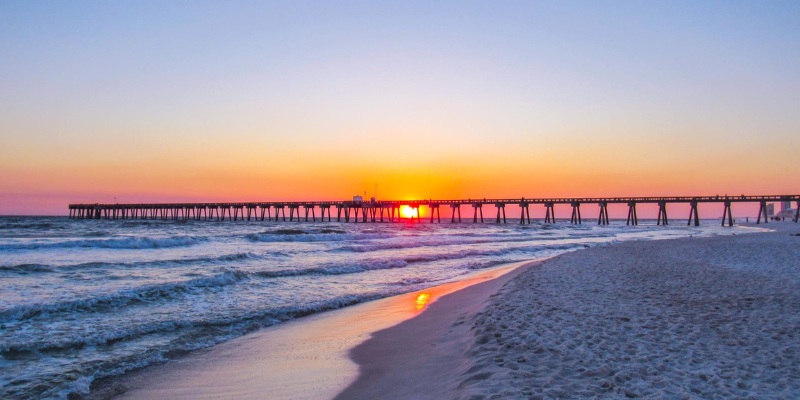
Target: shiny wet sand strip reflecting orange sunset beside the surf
(305, 358)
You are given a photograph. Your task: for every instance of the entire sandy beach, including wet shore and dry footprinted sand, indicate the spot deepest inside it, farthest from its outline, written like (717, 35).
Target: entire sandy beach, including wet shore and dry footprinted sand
(685, 318)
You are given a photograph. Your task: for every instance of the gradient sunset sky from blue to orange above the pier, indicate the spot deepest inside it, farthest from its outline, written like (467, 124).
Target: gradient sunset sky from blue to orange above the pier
(152, 101)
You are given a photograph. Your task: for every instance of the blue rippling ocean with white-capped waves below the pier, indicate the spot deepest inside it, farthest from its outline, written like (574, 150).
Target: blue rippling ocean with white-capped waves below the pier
(82, 300)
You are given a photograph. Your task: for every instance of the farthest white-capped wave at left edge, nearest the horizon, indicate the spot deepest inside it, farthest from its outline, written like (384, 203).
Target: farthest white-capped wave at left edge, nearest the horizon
(128, 242)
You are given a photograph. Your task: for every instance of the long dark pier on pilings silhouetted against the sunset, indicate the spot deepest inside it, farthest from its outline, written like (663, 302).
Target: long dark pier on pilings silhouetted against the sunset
(390, 210)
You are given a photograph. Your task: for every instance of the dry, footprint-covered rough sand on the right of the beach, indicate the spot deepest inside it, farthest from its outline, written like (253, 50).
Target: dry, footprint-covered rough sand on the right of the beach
(688, 318)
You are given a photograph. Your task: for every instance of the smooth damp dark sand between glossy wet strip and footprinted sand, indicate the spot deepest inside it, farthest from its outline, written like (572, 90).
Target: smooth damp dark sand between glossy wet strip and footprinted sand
(421, 358)
